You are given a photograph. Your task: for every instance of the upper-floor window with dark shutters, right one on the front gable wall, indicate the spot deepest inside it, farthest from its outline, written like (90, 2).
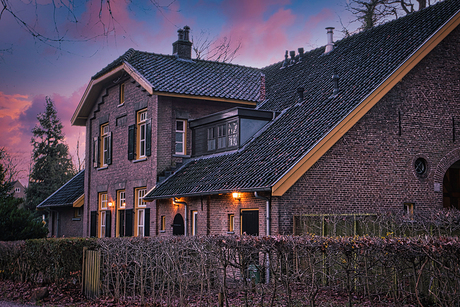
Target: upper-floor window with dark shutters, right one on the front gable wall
(140, 137)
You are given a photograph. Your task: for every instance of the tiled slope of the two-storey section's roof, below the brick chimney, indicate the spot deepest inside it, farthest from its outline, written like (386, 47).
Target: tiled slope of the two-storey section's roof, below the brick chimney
(170, 74)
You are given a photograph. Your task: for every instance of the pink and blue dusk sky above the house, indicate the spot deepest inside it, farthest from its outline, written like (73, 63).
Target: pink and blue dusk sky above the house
(31, 69)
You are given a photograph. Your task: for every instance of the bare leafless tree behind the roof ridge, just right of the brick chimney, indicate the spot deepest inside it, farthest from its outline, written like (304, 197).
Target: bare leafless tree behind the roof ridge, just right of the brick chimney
(214, 49)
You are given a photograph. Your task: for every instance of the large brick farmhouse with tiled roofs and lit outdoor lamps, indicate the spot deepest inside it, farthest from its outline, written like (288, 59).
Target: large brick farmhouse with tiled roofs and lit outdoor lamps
(370, 123)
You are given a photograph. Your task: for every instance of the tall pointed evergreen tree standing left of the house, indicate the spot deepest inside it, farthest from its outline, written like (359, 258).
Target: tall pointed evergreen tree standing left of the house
(52, 165)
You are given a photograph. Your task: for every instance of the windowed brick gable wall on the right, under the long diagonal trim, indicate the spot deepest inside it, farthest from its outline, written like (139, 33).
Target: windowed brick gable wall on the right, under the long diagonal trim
(371, 168)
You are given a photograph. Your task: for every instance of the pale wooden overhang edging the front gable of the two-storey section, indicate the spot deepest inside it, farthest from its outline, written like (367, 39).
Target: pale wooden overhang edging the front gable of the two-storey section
(95, 87)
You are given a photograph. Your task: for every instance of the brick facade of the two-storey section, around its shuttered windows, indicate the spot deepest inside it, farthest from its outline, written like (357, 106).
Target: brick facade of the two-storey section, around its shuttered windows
(123, 174)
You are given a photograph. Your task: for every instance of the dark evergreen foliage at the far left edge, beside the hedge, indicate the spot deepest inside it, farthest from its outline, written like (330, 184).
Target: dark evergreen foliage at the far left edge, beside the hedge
(15, 223)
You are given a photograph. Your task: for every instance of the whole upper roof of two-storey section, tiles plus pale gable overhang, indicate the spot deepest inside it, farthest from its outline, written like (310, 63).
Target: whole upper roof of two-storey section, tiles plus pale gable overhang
(170, 75)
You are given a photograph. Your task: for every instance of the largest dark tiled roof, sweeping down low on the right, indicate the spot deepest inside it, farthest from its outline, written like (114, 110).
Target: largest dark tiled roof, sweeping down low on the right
(363, 61)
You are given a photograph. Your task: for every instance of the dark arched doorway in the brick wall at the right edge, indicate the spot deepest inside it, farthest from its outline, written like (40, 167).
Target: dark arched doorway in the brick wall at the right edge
(451, 187)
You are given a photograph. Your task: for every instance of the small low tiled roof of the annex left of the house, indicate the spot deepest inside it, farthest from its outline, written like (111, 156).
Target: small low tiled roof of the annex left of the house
(67, 194)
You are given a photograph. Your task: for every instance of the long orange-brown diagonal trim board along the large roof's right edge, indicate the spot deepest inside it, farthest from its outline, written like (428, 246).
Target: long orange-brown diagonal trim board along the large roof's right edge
(323, 145)
